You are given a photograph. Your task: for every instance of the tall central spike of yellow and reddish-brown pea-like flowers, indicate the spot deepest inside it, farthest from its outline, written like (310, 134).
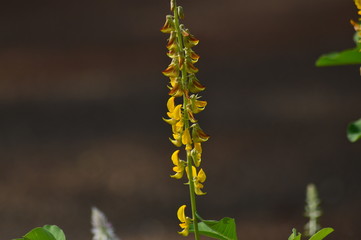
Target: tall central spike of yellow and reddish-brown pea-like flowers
(183, 103)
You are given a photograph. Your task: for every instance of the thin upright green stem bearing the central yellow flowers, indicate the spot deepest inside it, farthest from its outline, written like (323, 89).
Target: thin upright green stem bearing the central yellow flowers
(184, 81)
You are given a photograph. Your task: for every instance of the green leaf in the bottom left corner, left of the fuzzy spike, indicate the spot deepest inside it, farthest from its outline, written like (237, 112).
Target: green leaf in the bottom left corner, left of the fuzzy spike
(47, 232)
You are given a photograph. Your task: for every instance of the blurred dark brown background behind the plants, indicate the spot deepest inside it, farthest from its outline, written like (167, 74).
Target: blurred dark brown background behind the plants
(82, 96)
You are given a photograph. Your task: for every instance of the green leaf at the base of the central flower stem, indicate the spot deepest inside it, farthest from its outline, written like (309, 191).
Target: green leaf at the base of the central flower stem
(224, 229)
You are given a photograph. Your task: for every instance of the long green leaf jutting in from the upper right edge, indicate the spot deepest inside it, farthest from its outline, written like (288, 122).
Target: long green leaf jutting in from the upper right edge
(346, 57)
